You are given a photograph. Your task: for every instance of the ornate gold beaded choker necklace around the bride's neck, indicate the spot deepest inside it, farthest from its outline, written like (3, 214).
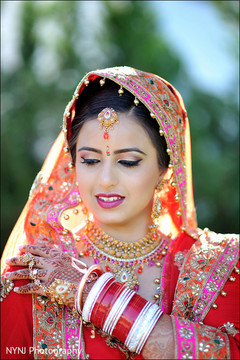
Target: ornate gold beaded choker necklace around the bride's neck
(125, 260)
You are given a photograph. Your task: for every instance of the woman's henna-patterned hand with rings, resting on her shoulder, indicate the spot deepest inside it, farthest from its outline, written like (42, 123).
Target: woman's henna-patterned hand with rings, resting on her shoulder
(47, 265)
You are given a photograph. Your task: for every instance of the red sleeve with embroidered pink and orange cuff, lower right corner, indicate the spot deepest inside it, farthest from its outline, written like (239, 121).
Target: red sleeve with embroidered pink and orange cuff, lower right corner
(217, 336)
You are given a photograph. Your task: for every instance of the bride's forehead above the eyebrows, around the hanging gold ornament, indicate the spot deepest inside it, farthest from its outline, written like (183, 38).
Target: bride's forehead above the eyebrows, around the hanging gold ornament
(128, 132)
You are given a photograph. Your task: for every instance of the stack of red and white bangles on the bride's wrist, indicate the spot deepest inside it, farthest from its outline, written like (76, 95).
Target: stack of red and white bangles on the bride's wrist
(118, 310)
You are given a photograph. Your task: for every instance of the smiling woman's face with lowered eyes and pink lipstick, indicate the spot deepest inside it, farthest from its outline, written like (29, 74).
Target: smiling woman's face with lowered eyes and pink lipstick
(117, 176)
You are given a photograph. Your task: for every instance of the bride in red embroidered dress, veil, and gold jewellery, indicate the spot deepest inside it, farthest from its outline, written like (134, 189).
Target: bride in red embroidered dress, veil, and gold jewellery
(111, 263)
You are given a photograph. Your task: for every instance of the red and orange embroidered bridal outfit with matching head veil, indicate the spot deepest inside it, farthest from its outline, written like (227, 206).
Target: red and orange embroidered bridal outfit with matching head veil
(198, 282)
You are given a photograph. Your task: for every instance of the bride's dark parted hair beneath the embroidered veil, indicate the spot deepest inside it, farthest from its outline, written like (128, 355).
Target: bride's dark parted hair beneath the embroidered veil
(95, 98)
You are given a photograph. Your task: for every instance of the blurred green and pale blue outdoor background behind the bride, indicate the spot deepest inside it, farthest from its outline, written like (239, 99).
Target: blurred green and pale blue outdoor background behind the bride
(47, 46)
